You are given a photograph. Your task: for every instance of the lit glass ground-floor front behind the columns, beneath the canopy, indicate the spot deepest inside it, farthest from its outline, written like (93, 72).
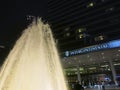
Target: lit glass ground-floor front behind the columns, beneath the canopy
(93, 73)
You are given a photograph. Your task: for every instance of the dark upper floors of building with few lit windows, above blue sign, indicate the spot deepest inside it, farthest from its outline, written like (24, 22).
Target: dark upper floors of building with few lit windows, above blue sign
(81, 23)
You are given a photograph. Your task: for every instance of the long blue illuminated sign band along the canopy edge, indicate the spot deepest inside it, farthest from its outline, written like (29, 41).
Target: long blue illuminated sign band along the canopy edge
(110, 44)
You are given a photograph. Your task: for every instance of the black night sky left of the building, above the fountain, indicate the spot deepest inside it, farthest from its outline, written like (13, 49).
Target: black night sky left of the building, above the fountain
(13, 20)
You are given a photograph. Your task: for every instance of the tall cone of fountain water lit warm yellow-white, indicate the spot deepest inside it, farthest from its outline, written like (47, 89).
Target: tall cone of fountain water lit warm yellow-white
(33, 63)
